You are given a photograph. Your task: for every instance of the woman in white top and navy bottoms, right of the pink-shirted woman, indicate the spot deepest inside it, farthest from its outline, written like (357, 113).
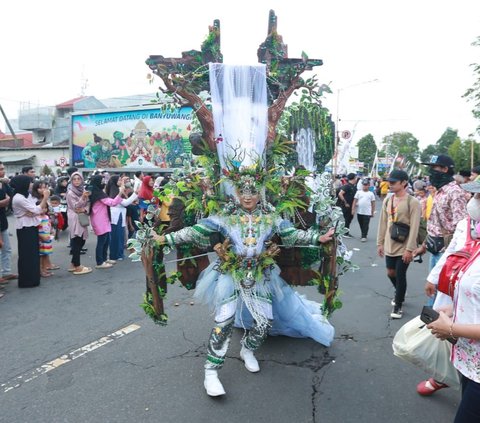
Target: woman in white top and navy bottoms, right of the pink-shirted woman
(118, 218)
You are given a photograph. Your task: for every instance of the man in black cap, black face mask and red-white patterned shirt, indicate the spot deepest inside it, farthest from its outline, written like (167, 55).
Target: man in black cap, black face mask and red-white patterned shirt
(449, 207)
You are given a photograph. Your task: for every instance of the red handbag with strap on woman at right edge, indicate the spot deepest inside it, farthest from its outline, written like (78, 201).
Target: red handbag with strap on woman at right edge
(457, 263)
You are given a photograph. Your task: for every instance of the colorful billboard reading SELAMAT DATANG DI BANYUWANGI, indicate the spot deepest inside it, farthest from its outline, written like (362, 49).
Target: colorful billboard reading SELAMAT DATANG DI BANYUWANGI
(135, 138)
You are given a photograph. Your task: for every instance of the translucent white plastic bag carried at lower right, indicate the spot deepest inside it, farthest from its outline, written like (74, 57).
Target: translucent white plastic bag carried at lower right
(415, 343)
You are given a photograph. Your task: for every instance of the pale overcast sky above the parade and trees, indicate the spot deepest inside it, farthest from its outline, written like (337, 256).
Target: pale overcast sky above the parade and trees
(419, 50)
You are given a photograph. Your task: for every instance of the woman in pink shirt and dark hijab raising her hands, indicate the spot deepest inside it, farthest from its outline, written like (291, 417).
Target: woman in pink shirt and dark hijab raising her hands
(100, 204)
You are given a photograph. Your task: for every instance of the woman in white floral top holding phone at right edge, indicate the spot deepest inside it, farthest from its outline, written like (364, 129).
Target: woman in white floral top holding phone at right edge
(459, 319)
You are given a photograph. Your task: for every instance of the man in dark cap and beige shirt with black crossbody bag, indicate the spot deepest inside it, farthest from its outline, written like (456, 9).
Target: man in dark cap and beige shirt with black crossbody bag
(397, 235)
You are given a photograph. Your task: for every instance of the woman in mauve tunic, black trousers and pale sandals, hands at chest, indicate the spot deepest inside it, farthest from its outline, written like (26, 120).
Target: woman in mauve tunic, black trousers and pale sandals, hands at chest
(77, 202)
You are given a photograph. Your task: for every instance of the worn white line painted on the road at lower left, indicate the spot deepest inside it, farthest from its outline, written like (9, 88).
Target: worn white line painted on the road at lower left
(66, 358)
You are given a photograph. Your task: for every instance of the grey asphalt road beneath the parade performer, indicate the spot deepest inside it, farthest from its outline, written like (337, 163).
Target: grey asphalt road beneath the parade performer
(65, 358)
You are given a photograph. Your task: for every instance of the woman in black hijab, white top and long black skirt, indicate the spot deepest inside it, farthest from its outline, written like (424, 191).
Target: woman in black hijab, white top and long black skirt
(27, 218)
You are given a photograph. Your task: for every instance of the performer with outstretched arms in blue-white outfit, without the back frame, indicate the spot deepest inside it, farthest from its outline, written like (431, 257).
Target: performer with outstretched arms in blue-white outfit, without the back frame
(246, 277)
